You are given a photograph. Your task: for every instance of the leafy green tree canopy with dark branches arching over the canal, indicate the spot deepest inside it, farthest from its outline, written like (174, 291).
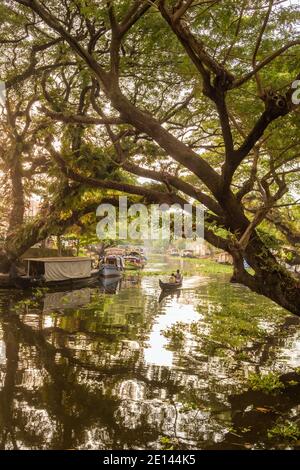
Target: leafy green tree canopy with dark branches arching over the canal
(198, 97)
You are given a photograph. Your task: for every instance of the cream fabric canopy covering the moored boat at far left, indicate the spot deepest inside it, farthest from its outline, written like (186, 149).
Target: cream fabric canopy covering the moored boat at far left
(59, 269)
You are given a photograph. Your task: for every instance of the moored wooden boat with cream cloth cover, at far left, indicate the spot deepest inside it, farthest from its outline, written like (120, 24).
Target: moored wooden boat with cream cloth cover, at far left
(60, 272)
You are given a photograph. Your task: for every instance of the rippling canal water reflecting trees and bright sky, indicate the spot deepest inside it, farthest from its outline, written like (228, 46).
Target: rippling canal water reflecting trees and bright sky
(211, 366)
